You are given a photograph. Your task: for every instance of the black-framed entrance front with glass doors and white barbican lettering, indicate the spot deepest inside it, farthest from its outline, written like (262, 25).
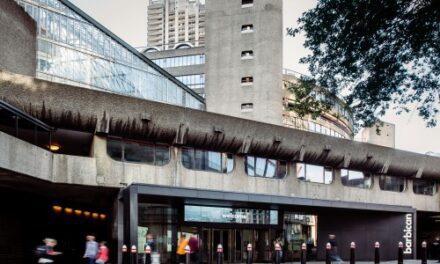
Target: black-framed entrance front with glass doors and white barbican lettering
(235, 220)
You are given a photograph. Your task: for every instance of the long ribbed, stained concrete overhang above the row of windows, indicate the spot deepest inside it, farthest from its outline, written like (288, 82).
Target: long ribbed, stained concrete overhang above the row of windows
(84, 109)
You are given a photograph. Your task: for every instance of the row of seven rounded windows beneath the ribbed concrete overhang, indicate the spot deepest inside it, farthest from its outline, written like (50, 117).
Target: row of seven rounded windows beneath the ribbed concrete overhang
(220, 162)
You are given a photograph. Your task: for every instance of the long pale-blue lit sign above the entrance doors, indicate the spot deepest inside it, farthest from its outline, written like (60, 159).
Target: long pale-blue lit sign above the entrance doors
(210, 214)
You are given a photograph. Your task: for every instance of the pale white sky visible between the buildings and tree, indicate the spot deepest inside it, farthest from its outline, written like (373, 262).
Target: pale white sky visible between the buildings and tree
(128, 20)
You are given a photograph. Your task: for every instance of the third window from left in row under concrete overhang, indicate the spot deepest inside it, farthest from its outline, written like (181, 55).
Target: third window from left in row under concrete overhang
(262, 167)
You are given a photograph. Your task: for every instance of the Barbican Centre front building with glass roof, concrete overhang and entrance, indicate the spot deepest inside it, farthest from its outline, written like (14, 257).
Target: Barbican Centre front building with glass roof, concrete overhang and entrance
(97, 139)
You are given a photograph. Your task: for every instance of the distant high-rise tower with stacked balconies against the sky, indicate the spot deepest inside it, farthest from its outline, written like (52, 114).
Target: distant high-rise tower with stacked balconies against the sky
(174, 24)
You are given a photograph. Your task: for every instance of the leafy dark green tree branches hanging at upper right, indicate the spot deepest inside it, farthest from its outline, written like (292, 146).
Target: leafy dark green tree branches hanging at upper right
(377, 54)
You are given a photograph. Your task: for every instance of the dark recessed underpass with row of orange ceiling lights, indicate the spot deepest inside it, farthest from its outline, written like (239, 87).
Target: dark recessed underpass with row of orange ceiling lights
(32, 210)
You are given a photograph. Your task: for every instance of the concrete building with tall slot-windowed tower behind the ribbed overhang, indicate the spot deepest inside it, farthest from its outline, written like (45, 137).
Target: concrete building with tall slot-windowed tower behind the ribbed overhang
(241, 73)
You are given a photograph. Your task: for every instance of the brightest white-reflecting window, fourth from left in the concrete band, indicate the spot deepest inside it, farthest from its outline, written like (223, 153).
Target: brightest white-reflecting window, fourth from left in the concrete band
(314, 173)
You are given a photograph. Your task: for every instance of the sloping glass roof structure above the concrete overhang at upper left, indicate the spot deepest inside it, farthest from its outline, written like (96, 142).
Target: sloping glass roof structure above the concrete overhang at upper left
(74, 49)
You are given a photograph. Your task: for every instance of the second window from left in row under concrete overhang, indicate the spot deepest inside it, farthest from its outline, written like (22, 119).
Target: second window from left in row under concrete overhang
(205, 160)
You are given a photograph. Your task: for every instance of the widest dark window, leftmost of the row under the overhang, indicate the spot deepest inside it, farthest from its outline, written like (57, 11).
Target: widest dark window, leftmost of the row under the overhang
(139, 152)
